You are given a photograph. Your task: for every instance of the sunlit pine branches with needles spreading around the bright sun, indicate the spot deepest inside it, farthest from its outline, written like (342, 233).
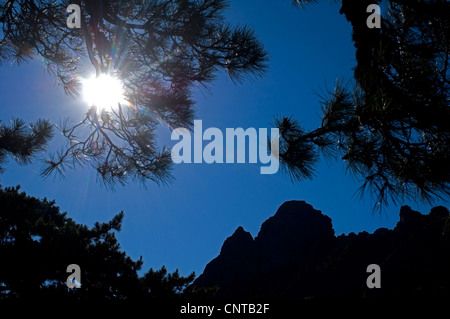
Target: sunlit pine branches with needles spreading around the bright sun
(159, 50)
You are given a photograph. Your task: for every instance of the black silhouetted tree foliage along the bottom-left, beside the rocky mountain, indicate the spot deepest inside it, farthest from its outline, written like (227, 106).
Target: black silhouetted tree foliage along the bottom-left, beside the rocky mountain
(38, 242)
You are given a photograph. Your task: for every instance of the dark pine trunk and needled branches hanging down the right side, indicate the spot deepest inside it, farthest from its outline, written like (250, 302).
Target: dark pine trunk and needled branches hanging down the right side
(391, 128)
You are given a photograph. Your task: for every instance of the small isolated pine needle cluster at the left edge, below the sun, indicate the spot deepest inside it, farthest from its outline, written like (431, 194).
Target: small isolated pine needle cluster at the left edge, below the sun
(22, 142)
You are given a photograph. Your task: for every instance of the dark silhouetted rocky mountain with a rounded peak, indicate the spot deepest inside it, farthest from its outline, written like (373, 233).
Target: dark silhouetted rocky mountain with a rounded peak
(297, 255)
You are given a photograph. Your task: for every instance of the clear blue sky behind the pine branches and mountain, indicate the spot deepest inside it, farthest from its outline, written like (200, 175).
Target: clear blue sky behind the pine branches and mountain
(184, 224)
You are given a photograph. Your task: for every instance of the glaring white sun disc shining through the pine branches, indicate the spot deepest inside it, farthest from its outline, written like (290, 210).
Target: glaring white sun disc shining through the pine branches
(104, 92)
